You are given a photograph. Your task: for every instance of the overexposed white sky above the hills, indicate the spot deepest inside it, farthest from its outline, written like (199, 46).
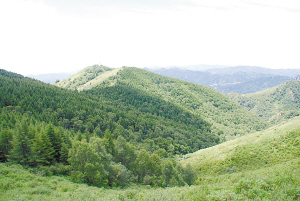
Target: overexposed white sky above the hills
(53, 36)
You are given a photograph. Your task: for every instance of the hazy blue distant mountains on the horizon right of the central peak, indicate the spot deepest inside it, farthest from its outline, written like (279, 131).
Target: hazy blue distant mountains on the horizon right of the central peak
(240, 79)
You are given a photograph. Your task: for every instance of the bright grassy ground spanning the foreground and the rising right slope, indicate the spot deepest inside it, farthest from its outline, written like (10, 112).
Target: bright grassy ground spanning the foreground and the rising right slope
(277, 180)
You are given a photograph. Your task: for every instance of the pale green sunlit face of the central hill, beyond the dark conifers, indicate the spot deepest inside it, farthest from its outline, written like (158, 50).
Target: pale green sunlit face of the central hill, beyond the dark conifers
(213, 106)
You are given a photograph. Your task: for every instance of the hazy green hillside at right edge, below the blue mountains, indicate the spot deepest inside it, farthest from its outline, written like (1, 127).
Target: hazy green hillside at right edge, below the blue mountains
(273, 105)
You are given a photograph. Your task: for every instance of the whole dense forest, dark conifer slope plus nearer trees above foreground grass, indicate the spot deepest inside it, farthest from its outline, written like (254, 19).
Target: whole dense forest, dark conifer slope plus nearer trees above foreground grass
(96, 138)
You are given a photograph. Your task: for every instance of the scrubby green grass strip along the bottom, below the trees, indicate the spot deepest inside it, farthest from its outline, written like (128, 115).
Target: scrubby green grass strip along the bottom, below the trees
(280, 182)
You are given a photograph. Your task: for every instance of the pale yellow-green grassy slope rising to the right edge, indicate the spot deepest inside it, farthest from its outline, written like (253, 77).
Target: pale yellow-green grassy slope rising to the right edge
(275, 145)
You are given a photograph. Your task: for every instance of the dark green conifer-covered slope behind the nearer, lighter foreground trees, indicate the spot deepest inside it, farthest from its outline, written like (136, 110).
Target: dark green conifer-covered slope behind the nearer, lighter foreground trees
(150, 128)
